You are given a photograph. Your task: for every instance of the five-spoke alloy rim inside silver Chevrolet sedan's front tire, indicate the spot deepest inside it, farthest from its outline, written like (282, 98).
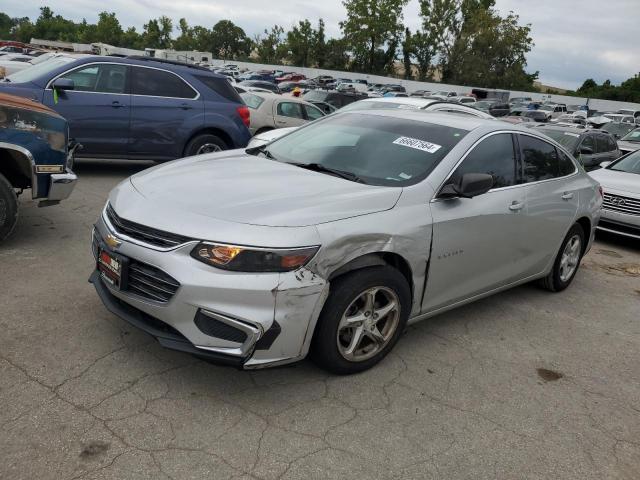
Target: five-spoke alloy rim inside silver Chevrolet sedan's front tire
(368, 324)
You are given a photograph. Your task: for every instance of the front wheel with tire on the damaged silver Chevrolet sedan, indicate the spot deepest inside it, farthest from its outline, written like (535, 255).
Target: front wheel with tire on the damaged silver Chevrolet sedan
(362, 319)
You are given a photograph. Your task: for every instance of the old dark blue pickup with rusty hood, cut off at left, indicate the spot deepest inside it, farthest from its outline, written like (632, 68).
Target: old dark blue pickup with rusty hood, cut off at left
(35, 153)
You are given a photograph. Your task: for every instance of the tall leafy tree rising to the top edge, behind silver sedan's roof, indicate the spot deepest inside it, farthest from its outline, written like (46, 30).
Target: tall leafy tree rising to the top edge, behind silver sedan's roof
(370, 26)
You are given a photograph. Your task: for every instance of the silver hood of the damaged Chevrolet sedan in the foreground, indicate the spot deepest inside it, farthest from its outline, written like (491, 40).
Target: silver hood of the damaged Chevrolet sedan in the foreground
(237, 187)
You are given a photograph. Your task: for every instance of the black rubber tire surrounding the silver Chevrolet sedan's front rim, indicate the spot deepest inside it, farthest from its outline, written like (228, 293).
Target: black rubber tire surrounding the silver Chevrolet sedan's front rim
(344, 291)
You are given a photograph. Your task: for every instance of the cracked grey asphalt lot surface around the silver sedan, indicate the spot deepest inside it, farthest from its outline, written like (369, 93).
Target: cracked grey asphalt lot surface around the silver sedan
(525, 384)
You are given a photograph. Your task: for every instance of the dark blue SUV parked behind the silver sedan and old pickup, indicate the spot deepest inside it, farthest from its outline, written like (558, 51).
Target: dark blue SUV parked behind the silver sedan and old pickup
(137, 107)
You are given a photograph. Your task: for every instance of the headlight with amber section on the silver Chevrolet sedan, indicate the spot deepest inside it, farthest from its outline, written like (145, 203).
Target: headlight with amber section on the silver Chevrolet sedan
(252, 259)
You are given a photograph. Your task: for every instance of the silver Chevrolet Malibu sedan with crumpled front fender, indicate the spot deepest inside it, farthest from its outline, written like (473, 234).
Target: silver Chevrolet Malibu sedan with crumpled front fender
(328, 241)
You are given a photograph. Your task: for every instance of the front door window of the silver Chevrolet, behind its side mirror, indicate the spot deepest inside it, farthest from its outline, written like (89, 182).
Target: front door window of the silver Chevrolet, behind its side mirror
(495, 156)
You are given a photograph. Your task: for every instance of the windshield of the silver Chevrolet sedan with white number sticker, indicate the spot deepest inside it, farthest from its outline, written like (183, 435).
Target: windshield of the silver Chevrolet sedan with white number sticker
(378, 150)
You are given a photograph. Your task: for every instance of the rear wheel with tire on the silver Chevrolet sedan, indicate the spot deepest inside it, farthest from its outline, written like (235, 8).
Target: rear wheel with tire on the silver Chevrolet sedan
(567, 261)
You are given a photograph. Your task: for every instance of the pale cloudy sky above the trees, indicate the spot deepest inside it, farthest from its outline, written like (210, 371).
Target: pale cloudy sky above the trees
(574, 39)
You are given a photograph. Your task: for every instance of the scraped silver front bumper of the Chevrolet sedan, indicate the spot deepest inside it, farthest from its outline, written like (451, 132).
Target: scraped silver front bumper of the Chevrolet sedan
(247, 320)
